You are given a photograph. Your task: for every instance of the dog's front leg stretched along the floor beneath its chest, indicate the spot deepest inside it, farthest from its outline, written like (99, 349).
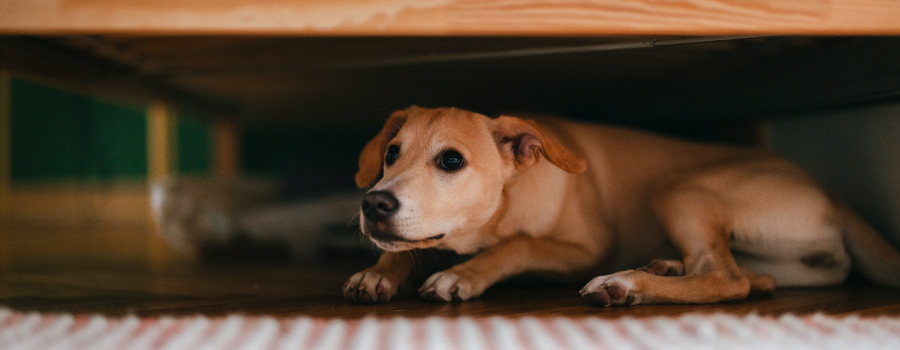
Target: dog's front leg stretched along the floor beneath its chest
(508, 258)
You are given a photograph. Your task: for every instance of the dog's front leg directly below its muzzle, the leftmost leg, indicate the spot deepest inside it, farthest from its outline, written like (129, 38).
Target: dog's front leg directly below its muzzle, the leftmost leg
(379, 283)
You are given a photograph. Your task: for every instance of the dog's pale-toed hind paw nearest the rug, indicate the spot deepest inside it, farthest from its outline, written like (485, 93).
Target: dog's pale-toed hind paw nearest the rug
(613, 290)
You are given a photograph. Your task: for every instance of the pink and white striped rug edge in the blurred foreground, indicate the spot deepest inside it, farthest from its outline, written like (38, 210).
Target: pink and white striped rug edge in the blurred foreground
(694, 332)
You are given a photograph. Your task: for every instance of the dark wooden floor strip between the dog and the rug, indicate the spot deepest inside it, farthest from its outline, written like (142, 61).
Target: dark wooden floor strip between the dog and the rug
(316, 291)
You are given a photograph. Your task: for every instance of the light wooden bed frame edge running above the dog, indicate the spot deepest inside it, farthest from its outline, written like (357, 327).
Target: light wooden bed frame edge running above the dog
(451, 17)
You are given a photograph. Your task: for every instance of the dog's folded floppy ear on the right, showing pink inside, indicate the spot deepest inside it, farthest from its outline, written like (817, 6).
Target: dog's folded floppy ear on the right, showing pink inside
(522, 140)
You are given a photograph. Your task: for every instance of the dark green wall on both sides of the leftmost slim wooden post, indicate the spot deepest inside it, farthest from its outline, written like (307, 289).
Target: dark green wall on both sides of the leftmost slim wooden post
(59, 135)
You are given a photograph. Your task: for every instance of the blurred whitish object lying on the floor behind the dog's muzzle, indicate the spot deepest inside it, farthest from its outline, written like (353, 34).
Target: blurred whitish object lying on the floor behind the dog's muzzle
(191, 213)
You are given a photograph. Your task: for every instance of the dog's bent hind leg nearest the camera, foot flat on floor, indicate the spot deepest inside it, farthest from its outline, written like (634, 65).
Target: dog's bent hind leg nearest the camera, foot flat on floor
(697, 224)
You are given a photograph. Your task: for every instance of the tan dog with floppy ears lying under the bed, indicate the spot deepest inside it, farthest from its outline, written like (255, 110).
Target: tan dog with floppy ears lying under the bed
(605, 200)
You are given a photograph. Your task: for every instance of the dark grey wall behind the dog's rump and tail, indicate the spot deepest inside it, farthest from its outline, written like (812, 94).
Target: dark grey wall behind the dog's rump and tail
(855, 153)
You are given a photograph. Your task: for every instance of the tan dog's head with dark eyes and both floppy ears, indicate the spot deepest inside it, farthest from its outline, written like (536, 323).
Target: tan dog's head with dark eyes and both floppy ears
(442, 173)
